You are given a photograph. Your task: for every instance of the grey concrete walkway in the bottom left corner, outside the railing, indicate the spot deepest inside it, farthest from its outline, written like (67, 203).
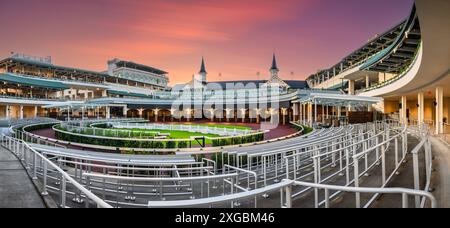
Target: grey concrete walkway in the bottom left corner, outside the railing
(16, 188)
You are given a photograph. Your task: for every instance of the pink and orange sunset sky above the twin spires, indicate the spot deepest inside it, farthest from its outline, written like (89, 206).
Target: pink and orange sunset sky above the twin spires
(237, 37)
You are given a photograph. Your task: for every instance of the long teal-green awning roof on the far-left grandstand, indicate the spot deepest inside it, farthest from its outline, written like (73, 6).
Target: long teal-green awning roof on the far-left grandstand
(11, 78)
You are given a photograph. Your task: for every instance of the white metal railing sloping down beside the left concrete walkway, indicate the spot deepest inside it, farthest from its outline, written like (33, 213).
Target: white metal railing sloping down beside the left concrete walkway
(35, 162)
